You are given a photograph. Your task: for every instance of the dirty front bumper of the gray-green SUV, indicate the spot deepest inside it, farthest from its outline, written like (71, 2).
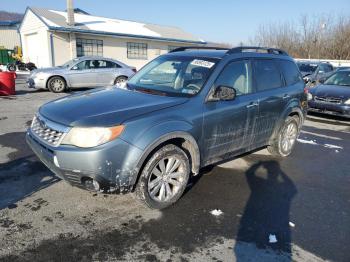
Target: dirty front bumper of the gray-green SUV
(112, 165)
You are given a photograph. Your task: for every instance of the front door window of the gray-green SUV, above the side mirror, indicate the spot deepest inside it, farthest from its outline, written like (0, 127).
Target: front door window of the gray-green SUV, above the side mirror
(237, 75)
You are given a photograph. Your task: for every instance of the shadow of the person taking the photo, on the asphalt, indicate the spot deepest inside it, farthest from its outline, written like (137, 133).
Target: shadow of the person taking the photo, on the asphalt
(265, 220)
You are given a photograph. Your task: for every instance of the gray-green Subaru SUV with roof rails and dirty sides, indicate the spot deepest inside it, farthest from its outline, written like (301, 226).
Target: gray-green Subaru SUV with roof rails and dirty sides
(184, 110)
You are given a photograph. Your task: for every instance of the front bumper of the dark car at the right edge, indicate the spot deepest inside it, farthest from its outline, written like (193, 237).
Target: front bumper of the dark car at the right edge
(329, 108)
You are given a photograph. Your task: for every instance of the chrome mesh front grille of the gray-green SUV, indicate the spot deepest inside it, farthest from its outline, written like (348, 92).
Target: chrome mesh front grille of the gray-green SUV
(45, 132)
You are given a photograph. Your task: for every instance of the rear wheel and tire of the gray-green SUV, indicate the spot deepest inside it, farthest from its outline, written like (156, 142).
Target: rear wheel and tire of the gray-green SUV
(286, 138)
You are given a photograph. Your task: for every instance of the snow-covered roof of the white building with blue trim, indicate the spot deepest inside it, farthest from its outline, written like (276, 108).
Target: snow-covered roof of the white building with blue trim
(84, 23)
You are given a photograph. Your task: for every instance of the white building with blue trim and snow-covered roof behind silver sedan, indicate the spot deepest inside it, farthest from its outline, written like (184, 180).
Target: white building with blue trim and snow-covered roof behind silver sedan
(50, 38)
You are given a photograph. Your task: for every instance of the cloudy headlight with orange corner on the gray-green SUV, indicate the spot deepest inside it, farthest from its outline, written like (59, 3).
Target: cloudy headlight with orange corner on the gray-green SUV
(91, 136)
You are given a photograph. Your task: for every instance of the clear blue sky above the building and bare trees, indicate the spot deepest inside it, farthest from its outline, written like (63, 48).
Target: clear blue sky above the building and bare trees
(226, 21)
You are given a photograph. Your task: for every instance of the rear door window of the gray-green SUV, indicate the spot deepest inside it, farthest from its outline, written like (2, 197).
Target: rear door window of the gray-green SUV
(267, 75)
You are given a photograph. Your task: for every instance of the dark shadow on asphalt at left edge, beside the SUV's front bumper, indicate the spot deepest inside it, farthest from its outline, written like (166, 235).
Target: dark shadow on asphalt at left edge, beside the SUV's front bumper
(23, 174)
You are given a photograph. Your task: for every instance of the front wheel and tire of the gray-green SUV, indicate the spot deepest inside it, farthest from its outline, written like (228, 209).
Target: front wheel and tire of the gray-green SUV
(157, 189)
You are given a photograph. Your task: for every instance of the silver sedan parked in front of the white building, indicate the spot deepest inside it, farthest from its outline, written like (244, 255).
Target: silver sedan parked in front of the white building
(87, 71)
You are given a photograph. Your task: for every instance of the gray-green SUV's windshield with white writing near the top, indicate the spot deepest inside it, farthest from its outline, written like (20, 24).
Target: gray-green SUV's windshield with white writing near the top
(174, 76)
